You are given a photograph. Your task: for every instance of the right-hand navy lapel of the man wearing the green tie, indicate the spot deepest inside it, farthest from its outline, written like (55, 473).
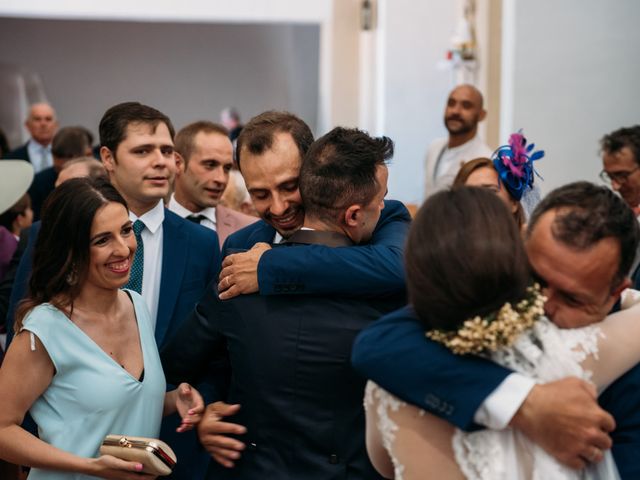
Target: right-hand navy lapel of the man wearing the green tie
(174, 261)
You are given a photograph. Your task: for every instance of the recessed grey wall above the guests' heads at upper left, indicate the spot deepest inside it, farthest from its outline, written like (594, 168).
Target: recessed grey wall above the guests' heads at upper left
(188, 71)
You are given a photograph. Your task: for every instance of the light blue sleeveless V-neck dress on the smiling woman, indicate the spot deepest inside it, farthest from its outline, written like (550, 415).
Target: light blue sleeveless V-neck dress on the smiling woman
(90, 395)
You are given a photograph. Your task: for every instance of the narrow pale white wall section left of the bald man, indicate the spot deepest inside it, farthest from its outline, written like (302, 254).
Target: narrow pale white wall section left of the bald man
(416, 36)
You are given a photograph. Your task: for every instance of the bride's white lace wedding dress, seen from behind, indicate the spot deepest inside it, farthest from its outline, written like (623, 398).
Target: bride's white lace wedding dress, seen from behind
(544, 352)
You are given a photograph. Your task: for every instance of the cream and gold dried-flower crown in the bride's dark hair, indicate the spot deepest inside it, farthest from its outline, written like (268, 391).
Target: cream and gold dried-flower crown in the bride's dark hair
(496, 330)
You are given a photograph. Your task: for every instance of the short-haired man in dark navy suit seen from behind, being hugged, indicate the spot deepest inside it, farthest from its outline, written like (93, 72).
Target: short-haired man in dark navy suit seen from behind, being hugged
(301, 402)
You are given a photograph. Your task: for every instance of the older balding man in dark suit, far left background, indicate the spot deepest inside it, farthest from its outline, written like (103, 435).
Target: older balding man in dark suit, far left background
(42, 125)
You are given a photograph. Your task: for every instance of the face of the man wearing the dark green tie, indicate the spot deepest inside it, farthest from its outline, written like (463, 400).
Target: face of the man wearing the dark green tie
(143, 166)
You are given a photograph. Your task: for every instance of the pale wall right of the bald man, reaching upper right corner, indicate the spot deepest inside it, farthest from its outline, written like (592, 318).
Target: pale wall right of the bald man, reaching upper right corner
(575, 77)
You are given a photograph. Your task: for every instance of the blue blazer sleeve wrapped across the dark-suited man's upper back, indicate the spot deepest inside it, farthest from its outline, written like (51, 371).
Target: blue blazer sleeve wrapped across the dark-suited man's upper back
(372, 269)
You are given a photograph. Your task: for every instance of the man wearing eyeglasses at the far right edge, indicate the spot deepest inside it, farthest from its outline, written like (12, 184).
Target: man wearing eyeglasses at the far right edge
(621, 170)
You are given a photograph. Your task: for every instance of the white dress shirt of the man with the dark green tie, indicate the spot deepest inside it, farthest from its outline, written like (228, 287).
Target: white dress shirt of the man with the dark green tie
(152, 269)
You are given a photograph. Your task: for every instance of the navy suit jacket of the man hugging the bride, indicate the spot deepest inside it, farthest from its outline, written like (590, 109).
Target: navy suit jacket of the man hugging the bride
(395, 354)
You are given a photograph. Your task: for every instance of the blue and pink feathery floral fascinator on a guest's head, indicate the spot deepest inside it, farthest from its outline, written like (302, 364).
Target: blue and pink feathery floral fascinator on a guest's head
(514, 163)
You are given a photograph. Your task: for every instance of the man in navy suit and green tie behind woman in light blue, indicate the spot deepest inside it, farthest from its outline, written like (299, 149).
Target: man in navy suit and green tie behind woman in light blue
(180, 258)
